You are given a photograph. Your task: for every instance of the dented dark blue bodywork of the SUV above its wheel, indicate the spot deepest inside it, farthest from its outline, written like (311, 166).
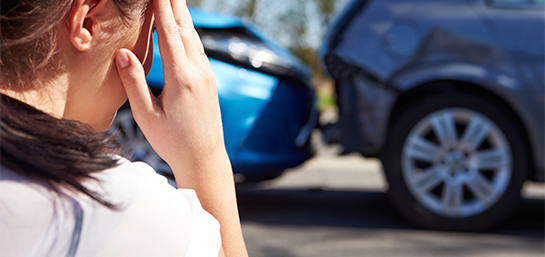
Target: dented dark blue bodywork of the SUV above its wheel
(390, 47)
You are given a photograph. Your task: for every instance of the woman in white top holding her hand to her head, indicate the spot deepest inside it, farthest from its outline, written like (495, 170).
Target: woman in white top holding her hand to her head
(67, 66)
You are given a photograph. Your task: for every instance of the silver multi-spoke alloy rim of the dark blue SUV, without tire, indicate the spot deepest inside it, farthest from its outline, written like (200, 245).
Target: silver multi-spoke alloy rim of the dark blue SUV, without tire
(456, 162)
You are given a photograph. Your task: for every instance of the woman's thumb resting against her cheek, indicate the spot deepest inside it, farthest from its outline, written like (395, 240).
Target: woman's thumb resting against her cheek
(133, 78)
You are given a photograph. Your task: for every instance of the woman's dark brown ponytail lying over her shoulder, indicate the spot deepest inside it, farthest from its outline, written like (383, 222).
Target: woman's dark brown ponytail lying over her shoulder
(56, 151)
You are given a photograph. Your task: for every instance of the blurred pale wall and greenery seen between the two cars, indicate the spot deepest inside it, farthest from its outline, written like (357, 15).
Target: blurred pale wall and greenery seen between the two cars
(297, 25)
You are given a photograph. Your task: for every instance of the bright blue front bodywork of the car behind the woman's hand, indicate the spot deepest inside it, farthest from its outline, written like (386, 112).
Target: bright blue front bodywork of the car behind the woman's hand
(264, 115)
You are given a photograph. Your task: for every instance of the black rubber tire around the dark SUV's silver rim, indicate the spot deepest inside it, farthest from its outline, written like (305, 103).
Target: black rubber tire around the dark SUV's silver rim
(413, 209)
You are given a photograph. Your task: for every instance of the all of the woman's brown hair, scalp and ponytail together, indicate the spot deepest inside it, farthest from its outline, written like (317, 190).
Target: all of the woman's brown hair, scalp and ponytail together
(62, 153)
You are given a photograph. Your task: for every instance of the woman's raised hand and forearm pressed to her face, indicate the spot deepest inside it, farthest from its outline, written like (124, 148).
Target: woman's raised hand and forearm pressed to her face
(183, 124)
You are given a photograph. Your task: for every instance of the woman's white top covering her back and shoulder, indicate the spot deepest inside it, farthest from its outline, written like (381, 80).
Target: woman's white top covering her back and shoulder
(154, 218)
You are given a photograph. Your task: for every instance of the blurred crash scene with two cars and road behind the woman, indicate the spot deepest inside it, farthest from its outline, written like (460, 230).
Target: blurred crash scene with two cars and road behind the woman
(378, 127)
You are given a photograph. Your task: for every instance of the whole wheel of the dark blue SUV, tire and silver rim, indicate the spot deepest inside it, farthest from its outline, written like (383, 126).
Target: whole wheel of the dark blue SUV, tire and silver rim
(455, 161)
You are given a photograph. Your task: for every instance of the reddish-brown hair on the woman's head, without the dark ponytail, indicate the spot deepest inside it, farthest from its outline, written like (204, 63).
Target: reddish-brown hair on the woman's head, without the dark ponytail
(28, 43)
